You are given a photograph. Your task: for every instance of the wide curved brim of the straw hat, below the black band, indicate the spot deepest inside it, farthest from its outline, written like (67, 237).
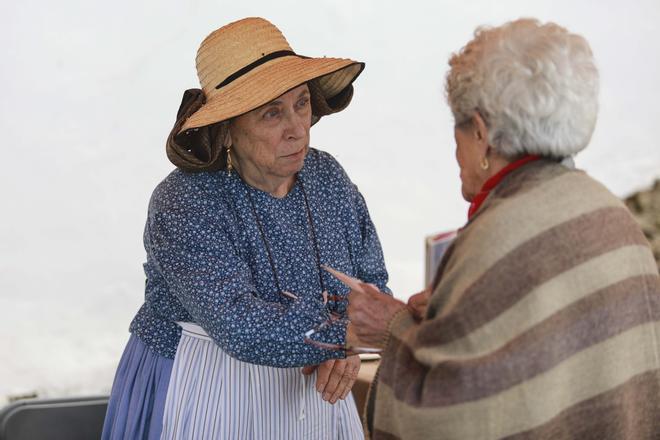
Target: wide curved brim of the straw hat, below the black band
(268, 81)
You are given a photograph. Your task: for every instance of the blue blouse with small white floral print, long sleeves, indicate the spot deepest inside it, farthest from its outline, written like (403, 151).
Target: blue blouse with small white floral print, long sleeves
(208, 263)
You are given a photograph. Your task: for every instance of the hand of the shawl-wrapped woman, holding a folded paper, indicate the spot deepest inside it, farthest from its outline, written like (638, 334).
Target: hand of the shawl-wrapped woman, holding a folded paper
(370, 312)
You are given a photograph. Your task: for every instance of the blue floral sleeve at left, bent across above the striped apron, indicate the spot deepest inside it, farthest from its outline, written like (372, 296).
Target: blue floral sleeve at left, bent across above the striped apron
(191, 248)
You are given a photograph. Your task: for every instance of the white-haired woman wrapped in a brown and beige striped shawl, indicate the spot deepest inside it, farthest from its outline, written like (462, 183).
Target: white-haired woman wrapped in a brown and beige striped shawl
(543, 319)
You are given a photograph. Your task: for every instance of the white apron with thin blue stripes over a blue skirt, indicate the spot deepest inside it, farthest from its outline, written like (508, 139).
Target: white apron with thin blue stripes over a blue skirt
(214, 396)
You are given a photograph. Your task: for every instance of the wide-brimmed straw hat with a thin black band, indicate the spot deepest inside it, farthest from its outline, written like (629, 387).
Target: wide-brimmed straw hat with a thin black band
(248, 63)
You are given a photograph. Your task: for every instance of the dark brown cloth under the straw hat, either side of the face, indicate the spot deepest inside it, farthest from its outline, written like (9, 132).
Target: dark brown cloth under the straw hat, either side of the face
(201, 149)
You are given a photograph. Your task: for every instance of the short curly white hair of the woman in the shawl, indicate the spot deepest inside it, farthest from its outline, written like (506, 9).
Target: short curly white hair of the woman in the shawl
(535, 85)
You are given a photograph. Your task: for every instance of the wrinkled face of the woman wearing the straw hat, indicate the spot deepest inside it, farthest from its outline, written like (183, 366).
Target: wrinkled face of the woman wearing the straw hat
(273, 139)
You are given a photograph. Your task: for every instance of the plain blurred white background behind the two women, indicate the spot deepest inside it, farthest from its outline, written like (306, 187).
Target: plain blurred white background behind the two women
(90, 90)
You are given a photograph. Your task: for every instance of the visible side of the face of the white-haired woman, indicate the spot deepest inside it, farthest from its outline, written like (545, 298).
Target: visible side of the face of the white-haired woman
(468, 158)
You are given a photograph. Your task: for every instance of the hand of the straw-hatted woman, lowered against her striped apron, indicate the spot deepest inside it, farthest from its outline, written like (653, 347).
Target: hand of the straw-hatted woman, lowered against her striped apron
(335, 377)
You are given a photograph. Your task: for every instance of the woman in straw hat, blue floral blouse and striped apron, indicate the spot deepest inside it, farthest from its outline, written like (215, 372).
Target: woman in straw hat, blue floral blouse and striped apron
(236, 241)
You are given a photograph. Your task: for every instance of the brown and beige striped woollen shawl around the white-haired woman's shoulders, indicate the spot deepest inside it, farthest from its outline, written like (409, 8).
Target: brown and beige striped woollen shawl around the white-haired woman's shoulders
(544, 324)
